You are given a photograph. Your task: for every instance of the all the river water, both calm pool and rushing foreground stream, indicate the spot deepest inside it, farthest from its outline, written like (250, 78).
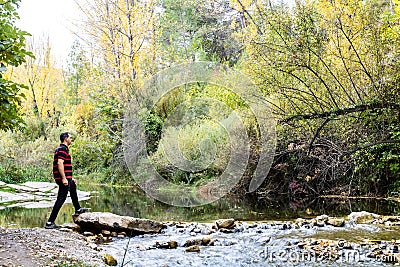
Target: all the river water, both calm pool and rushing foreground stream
(265, 235)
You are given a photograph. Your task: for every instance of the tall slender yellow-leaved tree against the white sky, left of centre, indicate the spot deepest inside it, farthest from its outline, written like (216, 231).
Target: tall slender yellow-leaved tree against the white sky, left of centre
(121, 33)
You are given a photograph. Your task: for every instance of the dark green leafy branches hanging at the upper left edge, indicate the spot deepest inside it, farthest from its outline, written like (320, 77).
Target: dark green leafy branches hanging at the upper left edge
(12, 53)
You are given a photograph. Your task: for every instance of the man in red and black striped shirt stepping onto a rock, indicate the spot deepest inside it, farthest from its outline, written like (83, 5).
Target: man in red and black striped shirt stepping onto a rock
(62, 172)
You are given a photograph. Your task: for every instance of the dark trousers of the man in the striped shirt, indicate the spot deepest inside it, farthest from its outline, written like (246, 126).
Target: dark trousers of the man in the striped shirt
(62, 196)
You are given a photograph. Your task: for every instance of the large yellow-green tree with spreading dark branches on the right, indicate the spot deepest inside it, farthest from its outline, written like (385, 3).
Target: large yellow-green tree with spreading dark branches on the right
(330, 70)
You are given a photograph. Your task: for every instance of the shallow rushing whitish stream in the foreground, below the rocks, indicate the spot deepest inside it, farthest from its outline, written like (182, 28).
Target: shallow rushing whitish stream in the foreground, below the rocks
(258, 244)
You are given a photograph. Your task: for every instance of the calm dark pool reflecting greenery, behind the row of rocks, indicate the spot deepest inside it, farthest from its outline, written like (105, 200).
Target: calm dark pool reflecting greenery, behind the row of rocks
(134, 202)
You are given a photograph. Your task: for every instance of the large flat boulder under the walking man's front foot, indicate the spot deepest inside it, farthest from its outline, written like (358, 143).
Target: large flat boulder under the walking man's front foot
(98, 221)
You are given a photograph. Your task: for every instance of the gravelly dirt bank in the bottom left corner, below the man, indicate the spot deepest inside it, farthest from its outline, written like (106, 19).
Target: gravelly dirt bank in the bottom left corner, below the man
(42, 247)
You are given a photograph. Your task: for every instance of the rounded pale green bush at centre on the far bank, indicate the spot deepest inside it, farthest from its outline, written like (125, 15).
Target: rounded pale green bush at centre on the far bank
(204, 144)
